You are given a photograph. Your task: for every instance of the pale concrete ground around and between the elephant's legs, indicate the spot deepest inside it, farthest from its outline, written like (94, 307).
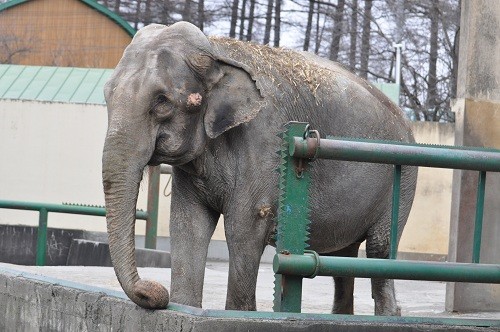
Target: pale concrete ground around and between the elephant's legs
(416, 298)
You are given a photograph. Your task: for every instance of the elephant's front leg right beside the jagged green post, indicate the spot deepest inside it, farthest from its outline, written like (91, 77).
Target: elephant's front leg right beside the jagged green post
(246, 239)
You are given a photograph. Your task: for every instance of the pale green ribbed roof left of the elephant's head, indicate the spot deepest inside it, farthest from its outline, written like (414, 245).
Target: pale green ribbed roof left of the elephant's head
(56, 84)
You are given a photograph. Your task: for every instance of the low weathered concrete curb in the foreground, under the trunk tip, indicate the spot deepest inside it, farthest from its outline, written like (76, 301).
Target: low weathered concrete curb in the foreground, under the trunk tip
(31, 302)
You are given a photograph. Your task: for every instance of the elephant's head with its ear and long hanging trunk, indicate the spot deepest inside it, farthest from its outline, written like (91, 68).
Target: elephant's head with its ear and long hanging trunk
(168, 96)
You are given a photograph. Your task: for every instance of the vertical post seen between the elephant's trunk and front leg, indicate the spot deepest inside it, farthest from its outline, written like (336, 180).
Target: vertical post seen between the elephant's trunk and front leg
(153, 202)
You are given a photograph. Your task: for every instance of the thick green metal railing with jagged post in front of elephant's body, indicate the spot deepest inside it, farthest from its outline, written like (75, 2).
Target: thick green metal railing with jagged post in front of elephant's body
(300, 147)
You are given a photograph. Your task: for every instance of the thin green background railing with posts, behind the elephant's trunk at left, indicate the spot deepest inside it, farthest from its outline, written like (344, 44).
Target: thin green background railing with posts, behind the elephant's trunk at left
(151, 215)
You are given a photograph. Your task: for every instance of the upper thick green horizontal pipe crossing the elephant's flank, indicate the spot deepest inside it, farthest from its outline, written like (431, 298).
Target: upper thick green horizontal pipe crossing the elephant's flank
(396, 153)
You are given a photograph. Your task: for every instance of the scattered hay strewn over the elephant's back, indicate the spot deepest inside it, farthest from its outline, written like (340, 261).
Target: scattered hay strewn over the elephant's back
(269, 61)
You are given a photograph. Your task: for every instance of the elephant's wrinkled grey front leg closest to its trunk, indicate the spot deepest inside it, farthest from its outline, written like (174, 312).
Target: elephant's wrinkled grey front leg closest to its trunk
(191, 227)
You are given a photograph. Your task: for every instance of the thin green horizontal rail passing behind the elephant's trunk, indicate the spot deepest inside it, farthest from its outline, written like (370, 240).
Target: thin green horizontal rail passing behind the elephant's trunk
(60, 208)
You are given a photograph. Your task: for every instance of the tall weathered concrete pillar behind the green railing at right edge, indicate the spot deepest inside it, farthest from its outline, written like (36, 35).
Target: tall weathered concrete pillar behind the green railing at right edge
(477, 110)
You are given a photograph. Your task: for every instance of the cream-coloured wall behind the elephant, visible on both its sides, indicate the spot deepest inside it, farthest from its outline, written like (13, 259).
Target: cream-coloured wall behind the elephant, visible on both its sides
(51, 152)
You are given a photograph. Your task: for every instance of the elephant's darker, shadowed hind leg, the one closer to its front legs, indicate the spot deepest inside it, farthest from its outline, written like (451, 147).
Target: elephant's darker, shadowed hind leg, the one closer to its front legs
(343, 301)
